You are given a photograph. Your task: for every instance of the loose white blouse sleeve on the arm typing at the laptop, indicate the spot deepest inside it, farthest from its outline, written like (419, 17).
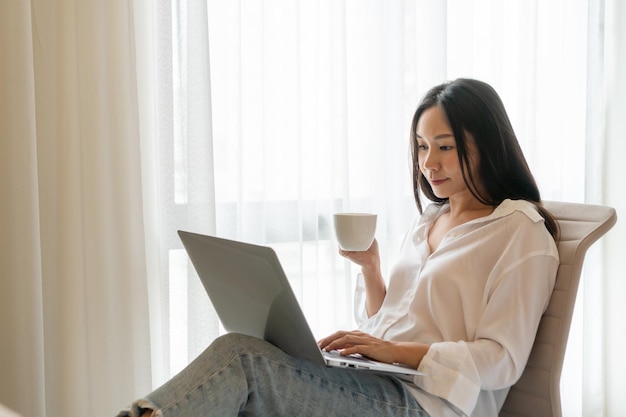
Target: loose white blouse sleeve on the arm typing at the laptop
(496, 358)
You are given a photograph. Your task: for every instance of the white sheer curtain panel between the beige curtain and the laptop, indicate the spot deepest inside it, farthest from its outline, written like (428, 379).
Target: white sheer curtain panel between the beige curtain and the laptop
(177, 166)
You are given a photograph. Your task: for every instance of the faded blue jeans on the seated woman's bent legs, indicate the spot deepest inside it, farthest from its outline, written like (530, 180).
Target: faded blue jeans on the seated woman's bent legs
(243, 376)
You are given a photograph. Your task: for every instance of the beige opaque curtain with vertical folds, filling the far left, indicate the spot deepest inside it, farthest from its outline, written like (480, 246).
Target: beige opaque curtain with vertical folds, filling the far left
(74, 337)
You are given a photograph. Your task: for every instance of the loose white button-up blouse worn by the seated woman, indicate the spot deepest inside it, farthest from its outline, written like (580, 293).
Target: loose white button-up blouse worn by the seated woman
(477, 300)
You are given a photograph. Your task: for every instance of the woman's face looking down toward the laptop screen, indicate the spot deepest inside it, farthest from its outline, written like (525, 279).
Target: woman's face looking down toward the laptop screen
(437, 155)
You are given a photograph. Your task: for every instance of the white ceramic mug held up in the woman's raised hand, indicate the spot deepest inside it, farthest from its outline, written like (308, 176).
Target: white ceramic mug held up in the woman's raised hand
(355, 231)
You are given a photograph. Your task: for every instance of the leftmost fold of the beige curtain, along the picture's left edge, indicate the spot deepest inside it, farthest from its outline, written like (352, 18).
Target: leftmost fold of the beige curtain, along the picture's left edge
(21, 320)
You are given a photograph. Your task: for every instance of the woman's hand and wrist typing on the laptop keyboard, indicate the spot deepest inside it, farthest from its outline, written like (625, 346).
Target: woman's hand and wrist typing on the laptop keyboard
(351, 342)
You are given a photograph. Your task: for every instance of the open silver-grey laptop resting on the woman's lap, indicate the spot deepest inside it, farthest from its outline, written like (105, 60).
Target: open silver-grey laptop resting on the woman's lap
(251, 295)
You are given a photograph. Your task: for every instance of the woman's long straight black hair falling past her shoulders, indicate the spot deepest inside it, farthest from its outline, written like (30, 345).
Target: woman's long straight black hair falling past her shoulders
(473, 108)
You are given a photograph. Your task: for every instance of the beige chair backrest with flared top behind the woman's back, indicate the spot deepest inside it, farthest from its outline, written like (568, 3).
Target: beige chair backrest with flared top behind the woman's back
(537, 393)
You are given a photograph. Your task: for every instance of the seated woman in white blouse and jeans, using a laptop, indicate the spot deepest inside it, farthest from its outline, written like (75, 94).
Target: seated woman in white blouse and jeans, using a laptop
(475, 273)
